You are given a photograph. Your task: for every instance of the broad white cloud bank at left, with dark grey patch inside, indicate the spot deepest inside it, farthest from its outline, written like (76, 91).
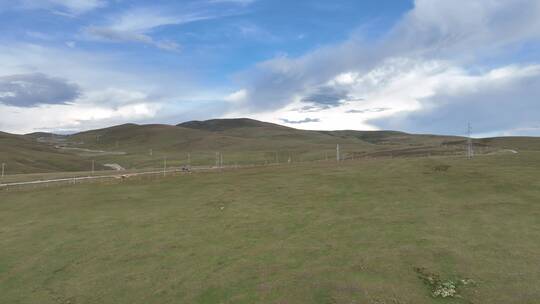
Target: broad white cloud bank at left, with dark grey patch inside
(107, 92)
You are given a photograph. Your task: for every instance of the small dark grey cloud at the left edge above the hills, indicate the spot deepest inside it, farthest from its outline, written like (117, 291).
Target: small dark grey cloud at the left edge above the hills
(28, 90)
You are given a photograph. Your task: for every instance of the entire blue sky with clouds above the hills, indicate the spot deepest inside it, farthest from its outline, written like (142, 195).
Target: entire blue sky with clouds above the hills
(424, 66)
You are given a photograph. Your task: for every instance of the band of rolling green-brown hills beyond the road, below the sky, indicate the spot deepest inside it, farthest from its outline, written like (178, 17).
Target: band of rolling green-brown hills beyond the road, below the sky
(240, 141)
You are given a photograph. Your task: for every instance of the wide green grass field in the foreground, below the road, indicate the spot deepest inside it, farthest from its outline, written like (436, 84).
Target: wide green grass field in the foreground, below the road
(302, 233)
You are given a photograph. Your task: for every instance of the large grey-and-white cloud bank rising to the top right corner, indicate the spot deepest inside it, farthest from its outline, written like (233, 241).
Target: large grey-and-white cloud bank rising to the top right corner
(436, 48)
